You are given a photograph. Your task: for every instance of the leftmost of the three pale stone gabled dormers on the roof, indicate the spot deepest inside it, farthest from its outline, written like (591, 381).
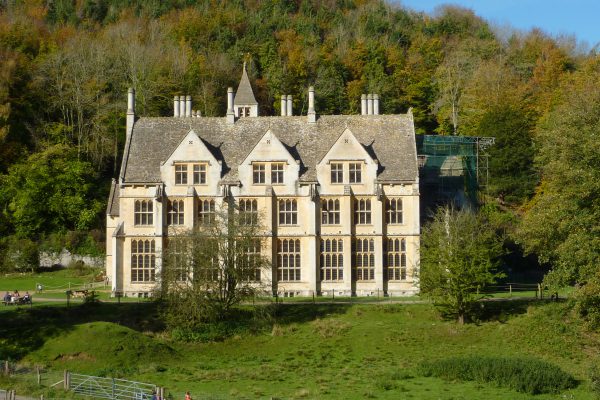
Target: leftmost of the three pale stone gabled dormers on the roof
(191, 164)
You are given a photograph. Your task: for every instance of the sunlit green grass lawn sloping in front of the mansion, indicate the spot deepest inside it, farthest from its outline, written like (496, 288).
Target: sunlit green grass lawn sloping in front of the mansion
(302, 351)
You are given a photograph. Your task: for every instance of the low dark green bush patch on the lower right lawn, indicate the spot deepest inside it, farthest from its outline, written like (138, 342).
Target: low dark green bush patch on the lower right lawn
(525, 375)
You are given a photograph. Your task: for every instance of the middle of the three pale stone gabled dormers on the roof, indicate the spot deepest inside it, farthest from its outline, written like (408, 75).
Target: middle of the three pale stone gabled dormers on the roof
(269, 163)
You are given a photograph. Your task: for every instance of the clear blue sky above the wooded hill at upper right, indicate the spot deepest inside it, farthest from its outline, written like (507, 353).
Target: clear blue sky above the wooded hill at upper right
(573, 17)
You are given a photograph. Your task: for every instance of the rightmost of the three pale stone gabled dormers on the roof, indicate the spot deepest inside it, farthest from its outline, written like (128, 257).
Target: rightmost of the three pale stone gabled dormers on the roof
(347, 162)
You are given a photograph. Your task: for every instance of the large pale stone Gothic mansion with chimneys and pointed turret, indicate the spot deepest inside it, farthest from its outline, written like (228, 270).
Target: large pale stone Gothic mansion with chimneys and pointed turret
(338, 194)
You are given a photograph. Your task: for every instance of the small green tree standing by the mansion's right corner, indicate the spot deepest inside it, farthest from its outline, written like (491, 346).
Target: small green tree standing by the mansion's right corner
(459, 256)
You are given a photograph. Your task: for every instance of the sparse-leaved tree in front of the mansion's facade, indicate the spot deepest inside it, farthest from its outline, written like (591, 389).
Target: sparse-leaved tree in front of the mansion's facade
(214, 267)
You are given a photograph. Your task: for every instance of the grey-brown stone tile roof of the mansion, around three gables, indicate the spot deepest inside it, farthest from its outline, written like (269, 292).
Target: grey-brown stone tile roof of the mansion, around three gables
(388, 138)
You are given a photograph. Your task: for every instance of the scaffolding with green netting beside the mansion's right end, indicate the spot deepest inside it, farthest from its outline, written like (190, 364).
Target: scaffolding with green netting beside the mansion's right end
(453, 168)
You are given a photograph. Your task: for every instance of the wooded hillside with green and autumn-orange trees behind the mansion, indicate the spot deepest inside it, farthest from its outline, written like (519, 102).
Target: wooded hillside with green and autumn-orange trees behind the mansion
(65, 67)
